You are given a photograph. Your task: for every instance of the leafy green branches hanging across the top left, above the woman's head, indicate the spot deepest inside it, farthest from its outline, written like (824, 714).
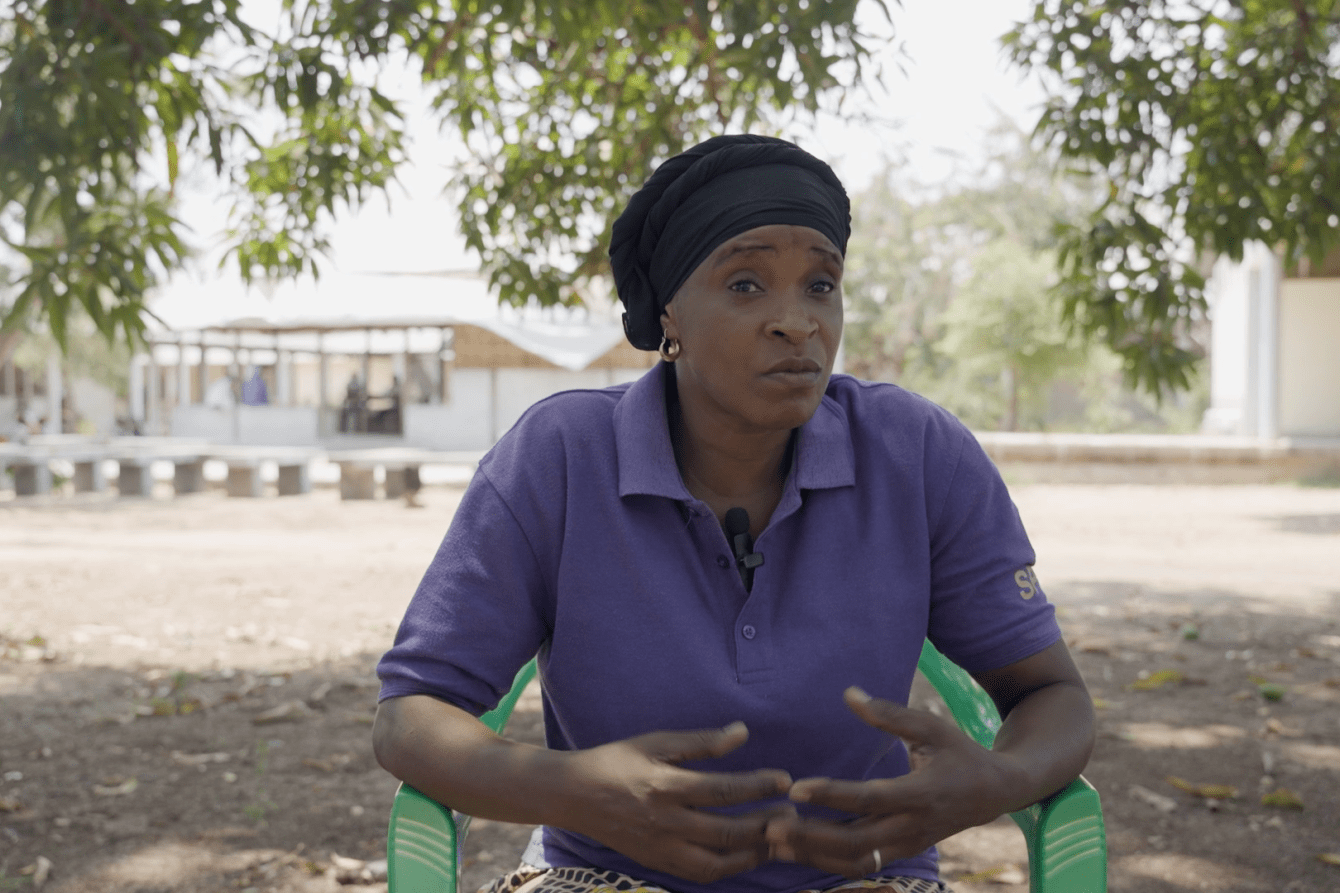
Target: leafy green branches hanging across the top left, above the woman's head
(563, 109)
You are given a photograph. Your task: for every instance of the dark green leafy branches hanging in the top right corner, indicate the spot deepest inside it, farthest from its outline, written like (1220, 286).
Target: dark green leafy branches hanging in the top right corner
(1213, 123)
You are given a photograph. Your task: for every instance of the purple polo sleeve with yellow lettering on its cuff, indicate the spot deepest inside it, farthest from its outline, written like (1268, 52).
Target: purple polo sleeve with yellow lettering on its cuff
(988, 609)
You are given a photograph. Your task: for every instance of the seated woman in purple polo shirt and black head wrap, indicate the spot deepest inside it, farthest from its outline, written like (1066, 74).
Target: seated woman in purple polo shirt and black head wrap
(716, 723)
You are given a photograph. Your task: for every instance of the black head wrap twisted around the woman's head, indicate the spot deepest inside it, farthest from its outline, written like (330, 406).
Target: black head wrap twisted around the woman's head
(706, 196)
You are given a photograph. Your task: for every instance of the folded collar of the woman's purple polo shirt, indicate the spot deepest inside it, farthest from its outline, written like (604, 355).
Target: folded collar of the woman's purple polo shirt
(647, 458)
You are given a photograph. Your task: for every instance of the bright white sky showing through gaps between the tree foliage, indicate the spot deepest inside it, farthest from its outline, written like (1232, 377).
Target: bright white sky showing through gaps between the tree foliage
(947, 100)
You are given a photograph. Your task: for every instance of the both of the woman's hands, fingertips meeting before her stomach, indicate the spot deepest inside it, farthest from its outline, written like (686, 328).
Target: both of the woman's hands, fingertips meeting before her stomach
(652, 811)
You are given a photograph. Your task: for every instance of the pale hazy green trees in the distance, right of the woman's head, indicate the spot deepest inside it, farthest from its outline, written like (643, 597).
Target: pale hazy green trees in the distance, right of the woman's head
(952, 294)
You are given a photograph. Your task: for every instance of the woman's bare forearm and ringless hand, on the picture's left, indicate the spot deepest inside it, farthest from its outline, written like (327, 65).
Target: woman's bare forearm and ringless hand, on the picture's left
(632, 796)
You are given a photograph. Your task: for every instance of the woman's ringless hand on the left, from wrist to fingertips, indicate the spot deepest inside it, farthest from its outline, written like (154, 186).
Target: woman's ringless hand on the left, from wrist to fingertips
(636, 800)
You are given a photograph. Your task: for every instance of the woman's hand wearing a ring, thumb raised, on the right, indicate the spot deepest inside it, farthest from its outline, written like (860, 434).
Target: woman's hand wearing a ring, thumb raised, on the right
(955, 784)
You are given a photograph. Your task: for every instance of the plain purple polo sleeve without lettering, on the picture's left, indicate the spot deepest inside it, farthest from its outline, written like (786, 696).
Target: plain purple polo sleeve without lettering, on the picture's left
(479, 613)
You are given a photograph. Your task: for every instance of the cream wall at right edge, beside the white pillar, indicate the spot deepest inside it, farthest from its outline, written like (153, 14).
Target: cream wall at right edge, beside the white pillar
(1310, 357)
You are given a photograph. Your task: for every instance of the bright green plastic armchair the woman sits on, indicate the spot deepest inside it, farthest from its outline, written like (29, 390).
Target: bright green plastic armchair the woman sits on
(1067, 845)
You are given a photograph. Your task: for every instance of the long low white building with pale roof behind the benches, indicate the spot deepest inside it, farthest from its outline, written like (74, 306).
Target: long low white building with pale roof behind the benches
(463, 368)
